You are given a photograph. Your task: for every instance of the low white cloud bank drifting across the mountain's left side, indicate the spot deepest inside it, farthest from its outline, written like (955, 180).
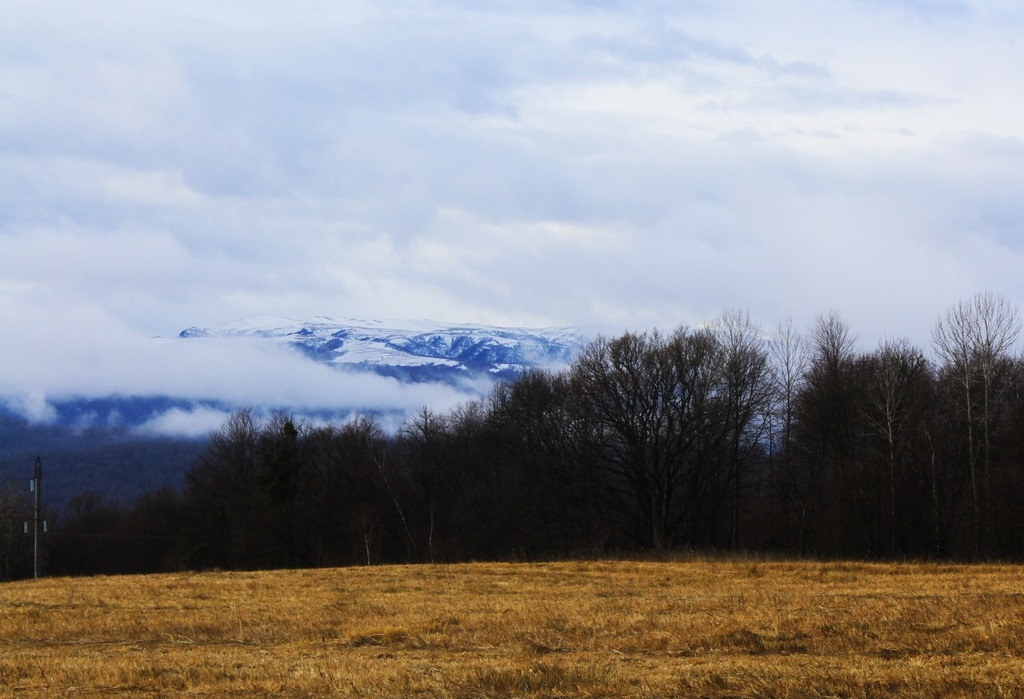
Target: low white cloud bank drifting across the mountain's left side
(78, 352)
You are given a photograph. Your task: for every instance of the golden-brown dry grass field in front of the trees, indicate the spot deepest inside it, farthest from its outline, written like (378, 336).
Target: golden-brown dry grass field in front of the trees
(695, 629)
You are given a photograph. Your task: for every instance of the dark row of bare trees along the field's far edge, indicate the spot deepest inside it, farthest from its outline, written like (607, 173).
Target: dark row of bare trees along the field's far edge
(723, 438)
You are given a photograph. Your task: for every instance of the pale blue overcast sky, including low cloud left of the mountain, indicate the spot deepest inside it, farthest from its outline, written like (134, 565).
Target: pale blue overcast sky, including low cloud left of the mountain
(611, 165)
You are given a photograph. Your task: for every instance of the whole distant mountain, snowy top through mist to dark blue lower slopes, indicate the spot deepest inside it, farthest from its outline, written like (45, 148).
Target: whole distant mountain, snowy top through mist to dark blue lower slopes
(129, 436)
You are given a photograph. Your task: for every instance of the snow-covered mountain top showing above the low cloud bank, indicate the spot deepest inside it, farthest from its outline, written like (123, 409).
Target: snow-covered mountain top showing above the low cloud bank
(415, 352)
